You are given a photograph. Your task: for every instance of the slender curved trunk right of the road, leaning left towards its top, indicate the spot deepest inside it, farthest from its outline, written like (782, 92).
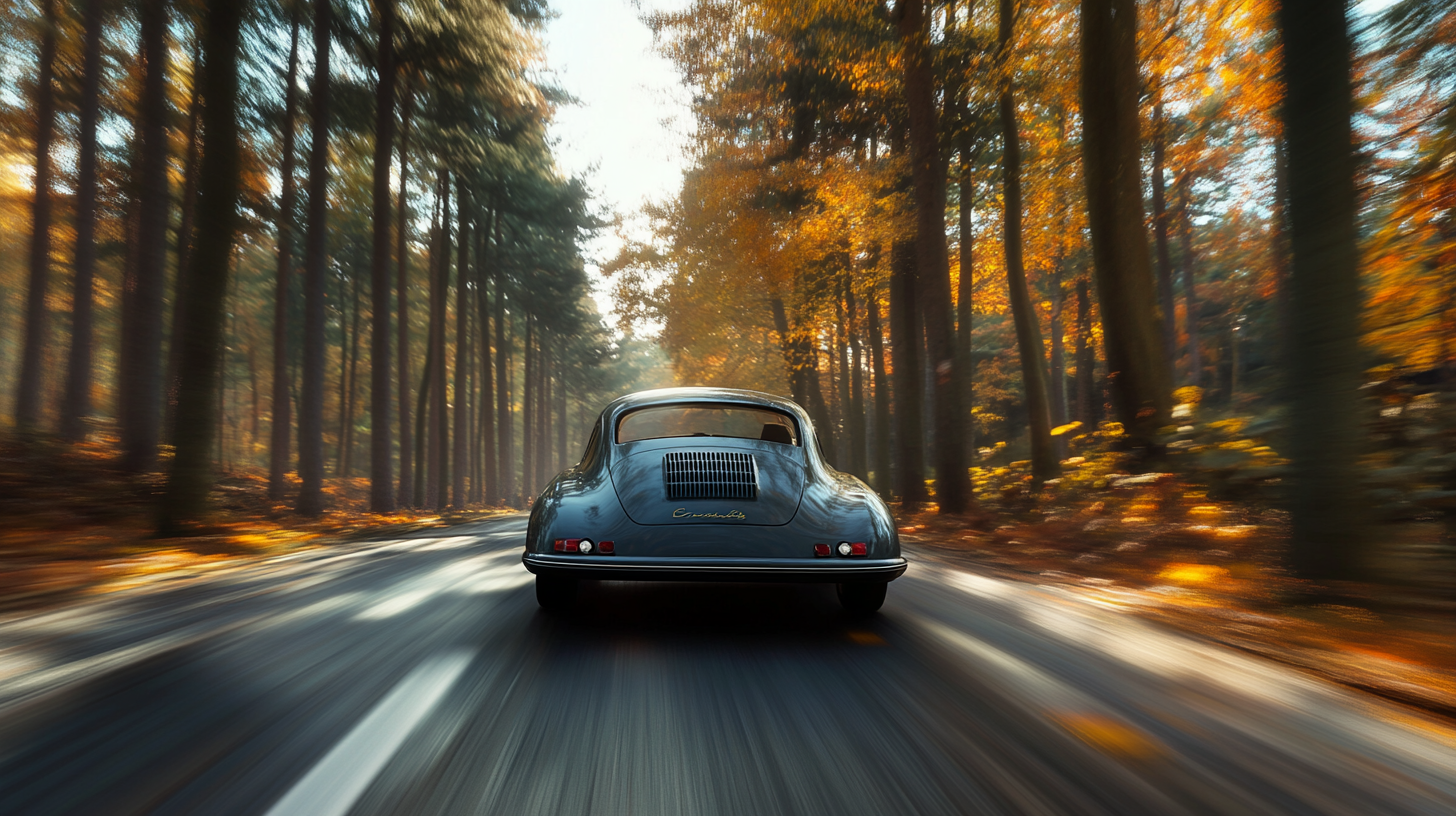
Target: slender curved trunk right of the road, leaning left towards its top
(1029, 331)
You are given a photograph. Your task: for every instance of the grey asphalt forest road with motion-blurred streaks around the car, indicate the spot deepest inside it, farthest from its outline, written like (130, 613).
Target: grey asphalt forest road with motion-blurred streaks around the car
(417, 677)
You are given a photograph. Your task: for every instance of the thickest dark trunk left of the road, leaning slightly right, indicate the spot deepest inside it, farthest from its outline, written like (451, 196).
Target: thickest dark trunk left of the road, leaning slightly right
(191, 479)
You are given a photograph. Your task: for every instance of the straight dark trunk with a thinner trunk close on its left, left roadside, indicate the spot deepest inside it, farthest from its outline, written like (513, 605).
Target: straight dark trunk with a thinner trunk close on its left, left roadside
(315, 269)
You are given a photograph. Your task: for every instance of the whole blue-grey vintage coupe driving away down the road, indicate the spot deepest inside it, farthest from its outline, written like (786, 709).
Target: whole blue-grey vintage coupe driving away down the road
(701, 484)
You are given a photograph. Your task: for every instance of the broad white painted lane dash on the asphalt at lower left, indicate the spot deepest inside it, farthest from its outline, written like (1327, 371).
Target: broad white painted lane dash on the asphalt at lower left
(340, 779)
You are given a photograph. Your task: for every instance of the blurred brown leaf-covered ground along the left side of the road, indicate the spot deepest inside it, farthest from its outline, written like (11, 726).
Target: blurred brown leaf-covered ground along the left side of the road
(74, 524)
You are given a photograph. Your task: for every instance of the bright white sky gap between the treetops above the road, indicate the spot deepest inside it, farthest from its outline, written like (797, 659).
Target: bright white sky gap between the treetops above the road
(631, 125)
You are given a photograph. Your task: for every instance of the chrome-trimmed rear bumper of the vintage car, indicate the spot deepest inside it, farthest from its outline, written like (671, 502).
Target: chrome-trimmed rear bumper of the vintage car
(749, 570)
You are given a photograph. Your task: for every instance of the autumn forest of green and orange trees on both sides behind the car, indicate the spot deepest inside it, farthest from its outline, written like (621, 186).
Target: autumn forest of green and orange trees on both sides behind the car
(1007, 253)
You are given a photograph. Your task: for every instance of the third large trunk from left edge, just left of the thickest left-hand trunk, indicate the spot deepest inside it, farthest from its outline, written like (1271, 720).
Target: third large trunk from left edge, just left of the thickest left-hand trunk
(141, 384)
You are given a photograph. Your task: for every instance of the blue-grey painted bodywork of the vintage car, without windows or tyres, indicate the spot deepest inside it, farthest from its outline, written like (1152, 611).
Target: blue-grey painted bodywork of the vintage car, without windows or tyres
(618, 493)
